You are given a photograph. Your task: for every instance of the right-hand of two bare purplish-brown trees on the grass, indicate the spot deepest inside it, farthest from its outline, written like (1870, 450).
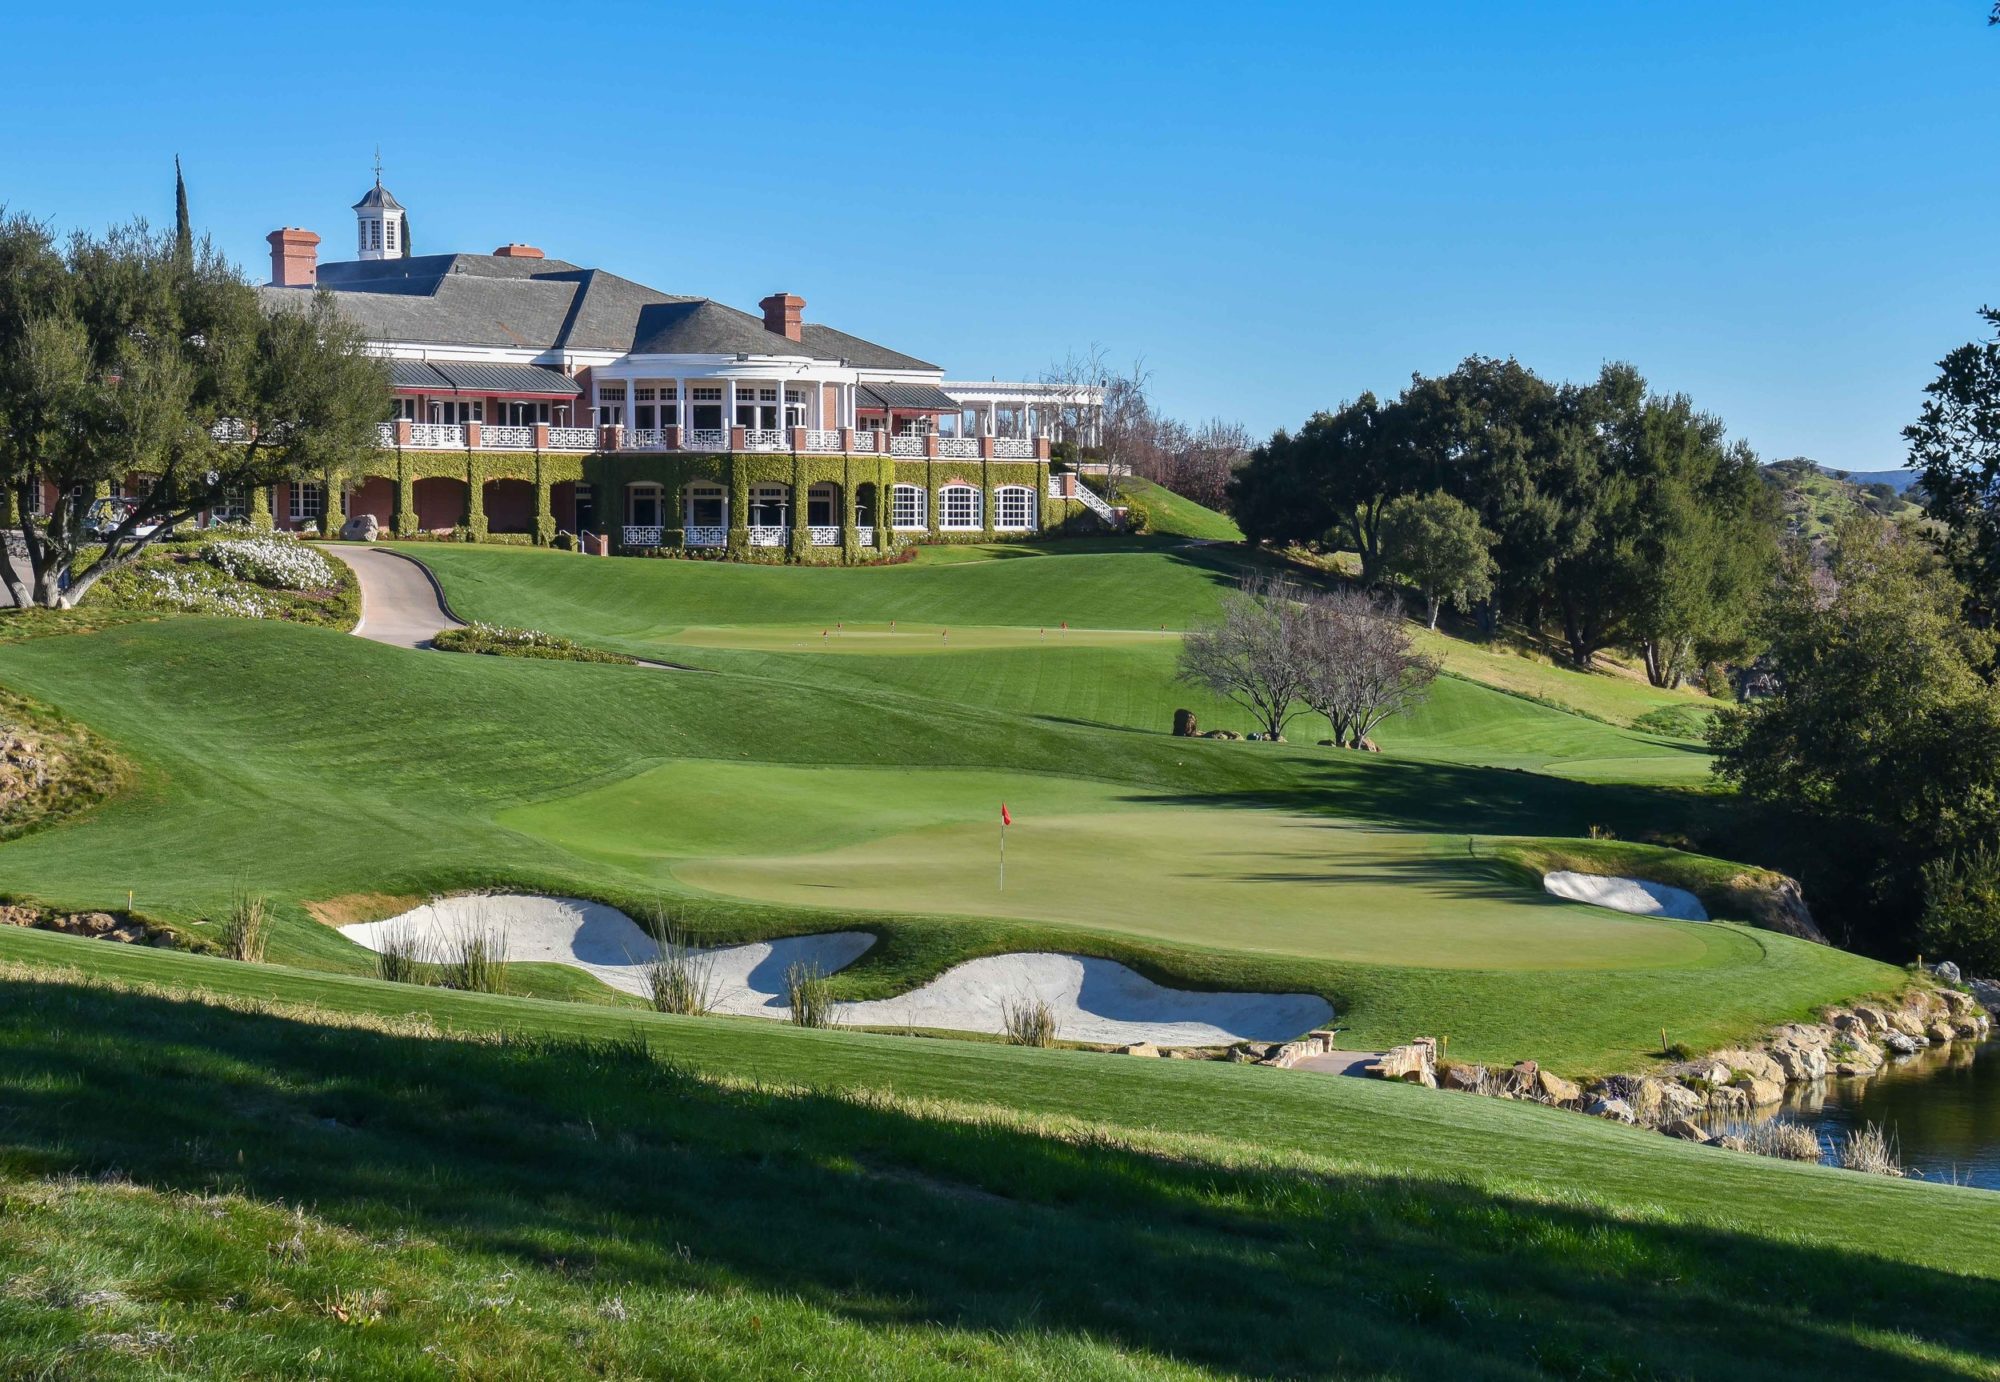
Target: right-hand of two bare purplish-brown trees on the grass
(1361, 665)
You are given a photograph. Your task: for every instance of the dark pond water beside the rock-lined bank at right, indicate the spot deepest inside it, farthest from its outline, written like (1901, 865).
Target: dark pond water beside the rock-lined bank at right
(1943, 1107)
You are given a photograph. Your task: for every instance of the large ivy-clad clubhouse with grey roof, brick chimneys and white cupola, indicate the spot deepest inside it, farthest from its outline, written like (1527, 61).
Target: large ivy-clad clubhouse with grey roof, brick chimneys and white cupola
(547, 403)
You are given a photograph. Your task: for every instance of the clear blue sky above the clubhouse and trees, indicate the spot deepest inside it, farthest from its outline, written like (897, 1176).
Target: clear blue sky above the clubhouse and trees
(1787, 211)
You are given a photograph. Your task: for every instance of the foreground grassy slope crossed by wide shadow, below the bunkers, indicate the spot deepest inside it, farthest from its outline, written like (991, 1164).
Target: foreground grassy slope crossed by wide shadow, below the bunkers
(539, 1209)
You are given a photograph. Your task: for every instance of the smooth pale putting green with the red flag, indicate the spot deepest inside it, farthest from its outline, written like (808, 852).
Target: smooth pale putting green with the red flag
(1101, 857)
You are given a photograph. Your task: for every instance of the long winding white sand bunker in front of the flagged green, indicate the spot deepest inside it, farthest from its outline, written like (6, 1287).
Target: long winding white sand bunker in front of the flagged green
(1095, 1001)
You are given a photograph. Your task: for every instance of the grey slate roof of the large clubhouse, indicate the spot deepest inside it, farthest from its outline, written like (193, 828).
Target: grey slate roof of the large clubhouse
(551, 305)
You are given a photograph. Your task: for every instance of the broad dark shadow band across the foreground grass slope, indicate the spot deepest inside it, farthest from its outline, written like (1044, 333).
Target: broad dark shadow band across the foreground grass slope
(549, 1155)
